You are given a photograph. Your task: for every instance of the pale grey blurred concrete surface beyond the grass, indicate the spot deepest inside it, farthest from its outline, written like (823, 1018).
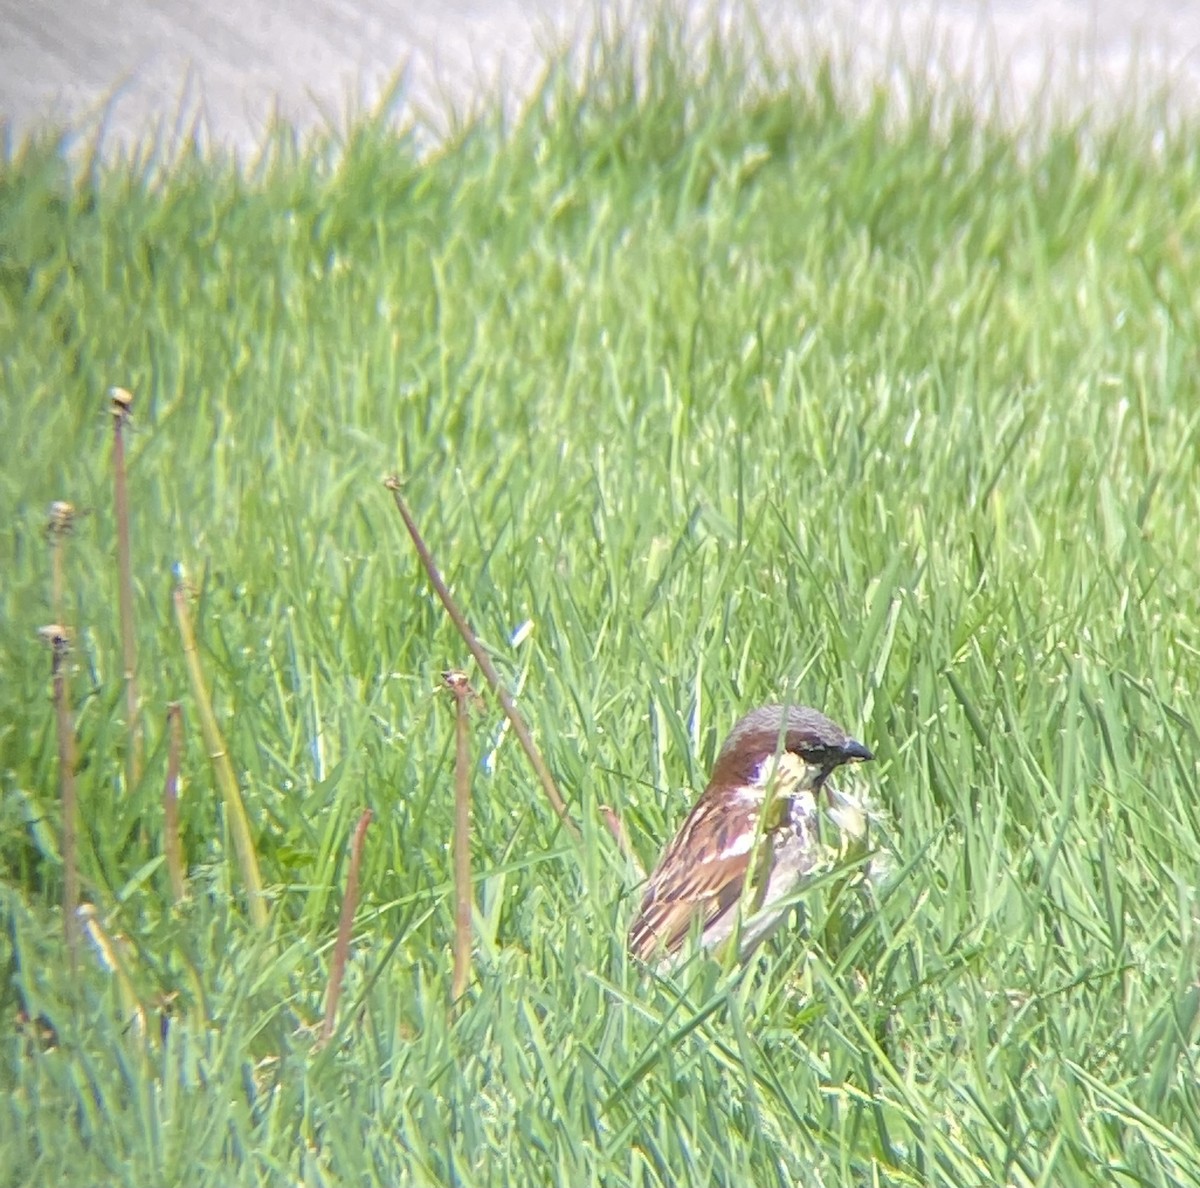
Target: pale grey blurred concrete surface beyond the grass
(223, 69)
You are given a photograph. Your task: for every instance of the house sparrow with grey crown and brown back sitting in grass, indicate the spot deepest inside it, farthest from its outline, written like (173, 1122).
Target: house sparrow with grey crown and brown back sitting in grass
(777, 759)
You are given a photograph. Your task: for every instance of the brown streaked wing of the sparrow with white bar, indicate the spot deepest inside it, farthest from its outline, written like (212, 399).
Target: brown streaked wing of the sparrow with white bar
(700, 877)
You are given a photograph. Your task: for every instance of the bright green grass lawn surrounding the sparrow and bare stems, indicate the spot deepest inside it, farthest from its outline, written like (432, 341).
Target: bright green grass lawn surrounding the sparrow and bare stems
(733, 389)
